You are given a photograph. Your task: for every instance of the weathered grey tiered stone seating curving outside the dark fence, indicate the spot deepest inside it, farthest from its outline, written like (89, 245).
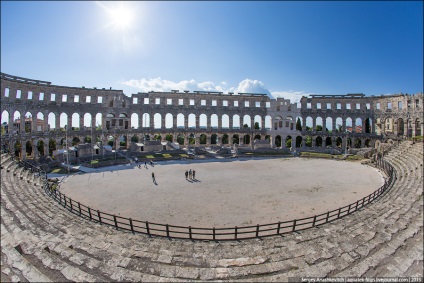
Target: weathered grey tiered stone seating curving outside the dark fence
(42, 241)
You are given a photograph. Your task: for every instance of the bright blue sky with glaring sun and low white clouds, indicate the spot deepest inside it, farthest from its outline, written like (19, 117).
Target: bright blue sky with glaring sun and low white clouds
(287, 49)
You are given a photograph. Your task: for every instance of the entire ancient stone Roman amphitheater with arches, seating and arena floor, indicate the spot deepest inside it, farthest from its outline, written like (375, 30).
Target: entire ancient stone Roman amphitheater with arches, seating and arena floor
(354, 228)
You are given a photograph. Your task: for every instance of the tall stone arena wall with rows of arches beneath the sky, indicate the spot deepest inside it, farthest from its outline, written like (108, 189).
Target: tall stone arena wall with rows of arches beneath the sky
(224, 119)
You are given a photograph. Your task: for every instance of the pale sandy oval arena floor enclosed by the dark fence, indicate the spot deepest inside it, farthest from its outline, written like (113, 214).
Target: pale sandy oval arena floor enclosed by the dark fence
(226, 194)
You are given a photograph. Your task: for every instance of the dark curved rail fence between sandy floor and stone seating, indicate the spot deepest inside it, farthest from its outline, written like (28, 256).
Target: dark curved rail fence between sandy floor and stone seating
(214, 234)
